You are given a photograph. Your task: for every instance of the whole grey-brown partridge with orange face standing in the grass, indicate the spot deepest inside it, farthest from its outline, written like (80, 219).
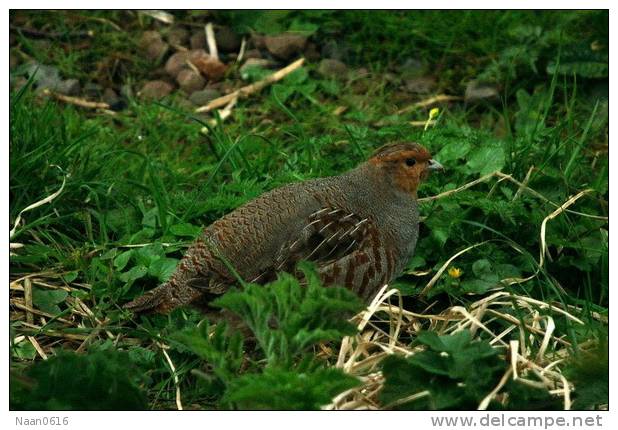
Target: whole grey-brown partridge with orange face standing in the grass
(359, 229)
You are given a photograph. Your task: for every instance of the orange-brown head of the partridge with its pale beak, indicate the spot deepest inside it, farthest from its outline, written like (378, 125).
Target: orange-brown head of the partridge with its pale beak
(404, 165)
